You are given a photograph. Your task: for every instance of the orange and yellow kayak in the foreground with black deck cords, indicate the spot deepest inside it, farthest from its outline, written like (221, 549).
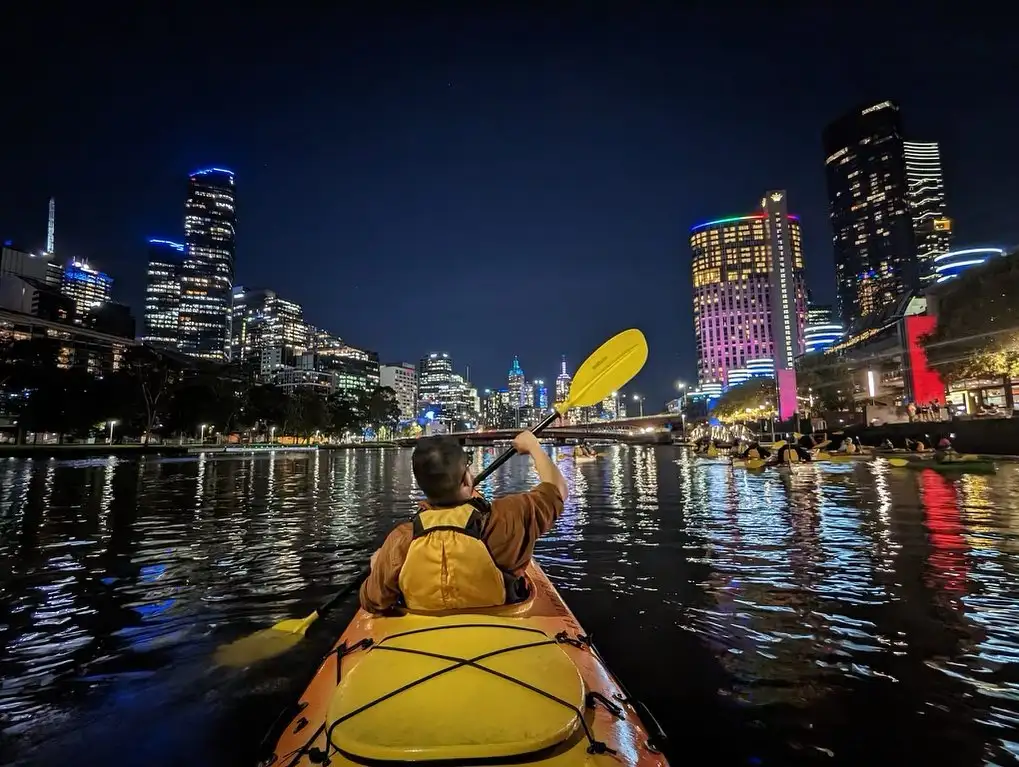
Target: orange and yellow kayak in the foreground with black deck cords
(520, 684)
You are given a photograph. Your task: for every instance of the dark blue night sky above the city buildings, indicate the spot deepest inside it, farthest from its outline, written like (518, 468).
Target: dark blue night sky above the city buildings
(487, 184)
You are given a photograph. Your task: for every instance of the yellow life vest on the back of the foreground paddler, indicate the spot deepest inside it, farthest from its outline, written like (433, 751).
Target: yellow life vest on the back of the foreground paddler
(449, 567)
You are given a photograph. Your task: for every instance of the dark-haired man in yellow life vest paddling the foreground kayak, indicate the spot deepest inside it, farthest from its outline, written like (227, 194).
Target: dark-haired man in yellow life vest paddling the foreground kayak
(461, 553)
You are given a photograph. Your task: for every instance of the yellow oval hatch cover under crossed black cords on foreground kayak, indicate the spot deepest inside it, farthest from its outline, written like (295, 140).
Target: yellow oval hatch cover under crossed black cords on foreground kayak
(457, 688)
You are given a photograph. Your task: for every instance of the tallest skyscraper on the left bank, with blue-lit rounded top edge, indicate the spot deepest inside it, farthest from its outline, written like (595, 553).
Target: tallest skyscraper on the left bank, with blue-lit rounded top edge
(207, 281)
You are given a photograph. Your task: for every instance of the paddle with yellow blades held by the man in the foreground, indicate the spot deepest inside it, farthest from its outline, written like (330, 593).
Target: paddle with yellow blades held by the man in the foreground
(612, 366)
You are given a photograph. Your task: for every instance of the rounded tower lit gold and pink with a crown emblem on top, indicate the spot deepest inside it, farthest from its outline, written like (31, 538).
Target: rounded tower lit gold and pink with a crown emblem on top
(734, 271)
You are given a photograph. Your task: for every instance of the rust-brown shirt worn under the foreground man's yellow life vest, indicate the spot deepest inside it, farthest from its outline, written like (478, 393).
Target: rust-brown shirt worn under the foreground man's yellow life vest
(511, 530)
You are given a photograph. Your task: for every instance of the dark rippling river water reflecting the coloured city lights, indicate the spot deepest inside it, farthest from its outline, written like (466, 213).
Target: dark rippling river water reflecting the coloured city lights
(849, 615)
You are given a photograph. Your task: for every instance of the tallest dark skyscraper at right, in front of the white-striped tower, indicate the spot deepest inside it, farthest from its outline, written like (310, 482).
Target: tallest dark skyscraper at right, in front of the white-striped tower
(872, 225)
